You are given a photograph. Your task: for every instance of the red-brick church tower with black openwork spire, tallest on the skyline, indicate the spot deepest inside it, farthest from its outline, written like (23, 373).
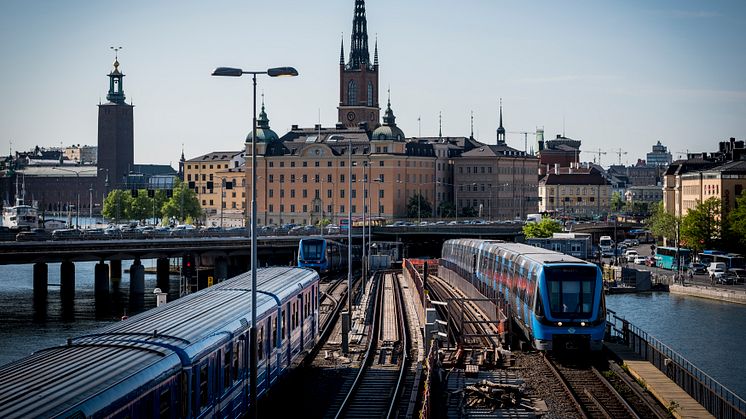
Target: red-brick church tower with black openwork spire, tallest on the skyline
(358, 79)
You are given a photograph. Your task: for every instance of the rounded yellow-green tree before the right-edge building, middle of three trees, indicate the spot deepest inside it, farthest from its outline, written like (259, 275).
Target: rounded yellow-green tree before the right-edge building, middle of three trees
(701, 227)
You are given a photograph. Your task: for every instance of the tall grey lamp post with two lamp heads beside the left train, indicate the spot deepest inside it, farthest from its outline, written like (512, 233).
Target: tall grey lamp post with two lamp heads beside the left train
(237, 72)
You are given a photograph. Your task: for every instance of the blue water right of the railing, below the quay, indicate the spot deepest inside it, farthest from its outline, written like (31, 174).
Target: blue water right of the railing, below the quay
(710, 334)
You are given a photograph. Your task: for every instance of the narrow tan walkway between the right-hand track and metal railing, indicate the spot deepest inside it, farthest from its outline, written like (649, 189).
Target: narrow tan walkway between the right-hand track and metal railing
(670, 395)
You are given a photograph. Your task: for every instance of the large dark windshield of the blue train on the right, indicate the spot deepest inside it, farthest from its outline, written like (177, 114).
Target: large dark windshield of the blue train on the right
(571, 290)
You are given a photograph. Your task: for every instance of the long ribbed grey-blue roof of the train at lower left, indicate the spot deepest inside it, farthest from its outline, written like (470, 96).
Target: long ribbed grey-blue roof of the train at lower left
(57, 379)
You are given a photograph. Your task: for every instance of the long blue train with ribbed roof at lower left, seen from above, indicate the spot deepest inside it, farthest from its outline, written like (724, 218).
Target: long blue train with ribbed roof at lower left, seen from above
(186, 359)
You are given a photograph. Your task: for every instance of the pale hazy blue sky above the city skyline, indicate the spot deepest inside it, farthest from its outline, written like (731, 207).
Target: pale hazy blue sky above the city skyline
(612, 74)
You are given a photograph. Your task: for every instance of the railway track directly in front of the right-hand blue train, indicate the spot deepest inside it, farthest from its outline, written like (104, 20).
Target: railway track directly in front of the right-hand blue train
(593, 396)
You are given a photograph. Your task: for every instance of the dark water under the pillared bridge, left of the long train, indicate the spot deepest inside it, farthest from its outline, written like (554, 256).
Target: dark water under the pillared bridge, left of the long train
(26, 326)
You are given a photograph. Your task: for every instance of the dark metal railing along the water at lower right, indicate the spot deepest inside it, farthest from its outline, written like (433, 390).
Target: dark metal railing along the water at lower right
(707, 391)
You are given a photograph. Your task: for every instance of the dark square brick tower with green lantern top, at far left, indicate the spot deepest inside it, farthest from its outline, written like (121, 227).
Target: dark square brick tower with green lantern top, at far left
(116, 143)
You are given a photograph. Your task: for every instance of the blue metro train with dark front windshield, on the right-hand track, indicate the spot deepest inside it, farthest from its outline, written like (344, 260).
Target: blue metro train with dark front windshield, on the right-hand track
(556, 300)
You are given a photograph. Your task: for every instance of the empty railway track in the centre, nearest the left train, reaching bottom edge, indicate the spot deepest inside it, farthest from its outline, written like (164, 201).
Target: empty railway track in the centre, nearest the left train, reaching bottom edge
(376, 388)
